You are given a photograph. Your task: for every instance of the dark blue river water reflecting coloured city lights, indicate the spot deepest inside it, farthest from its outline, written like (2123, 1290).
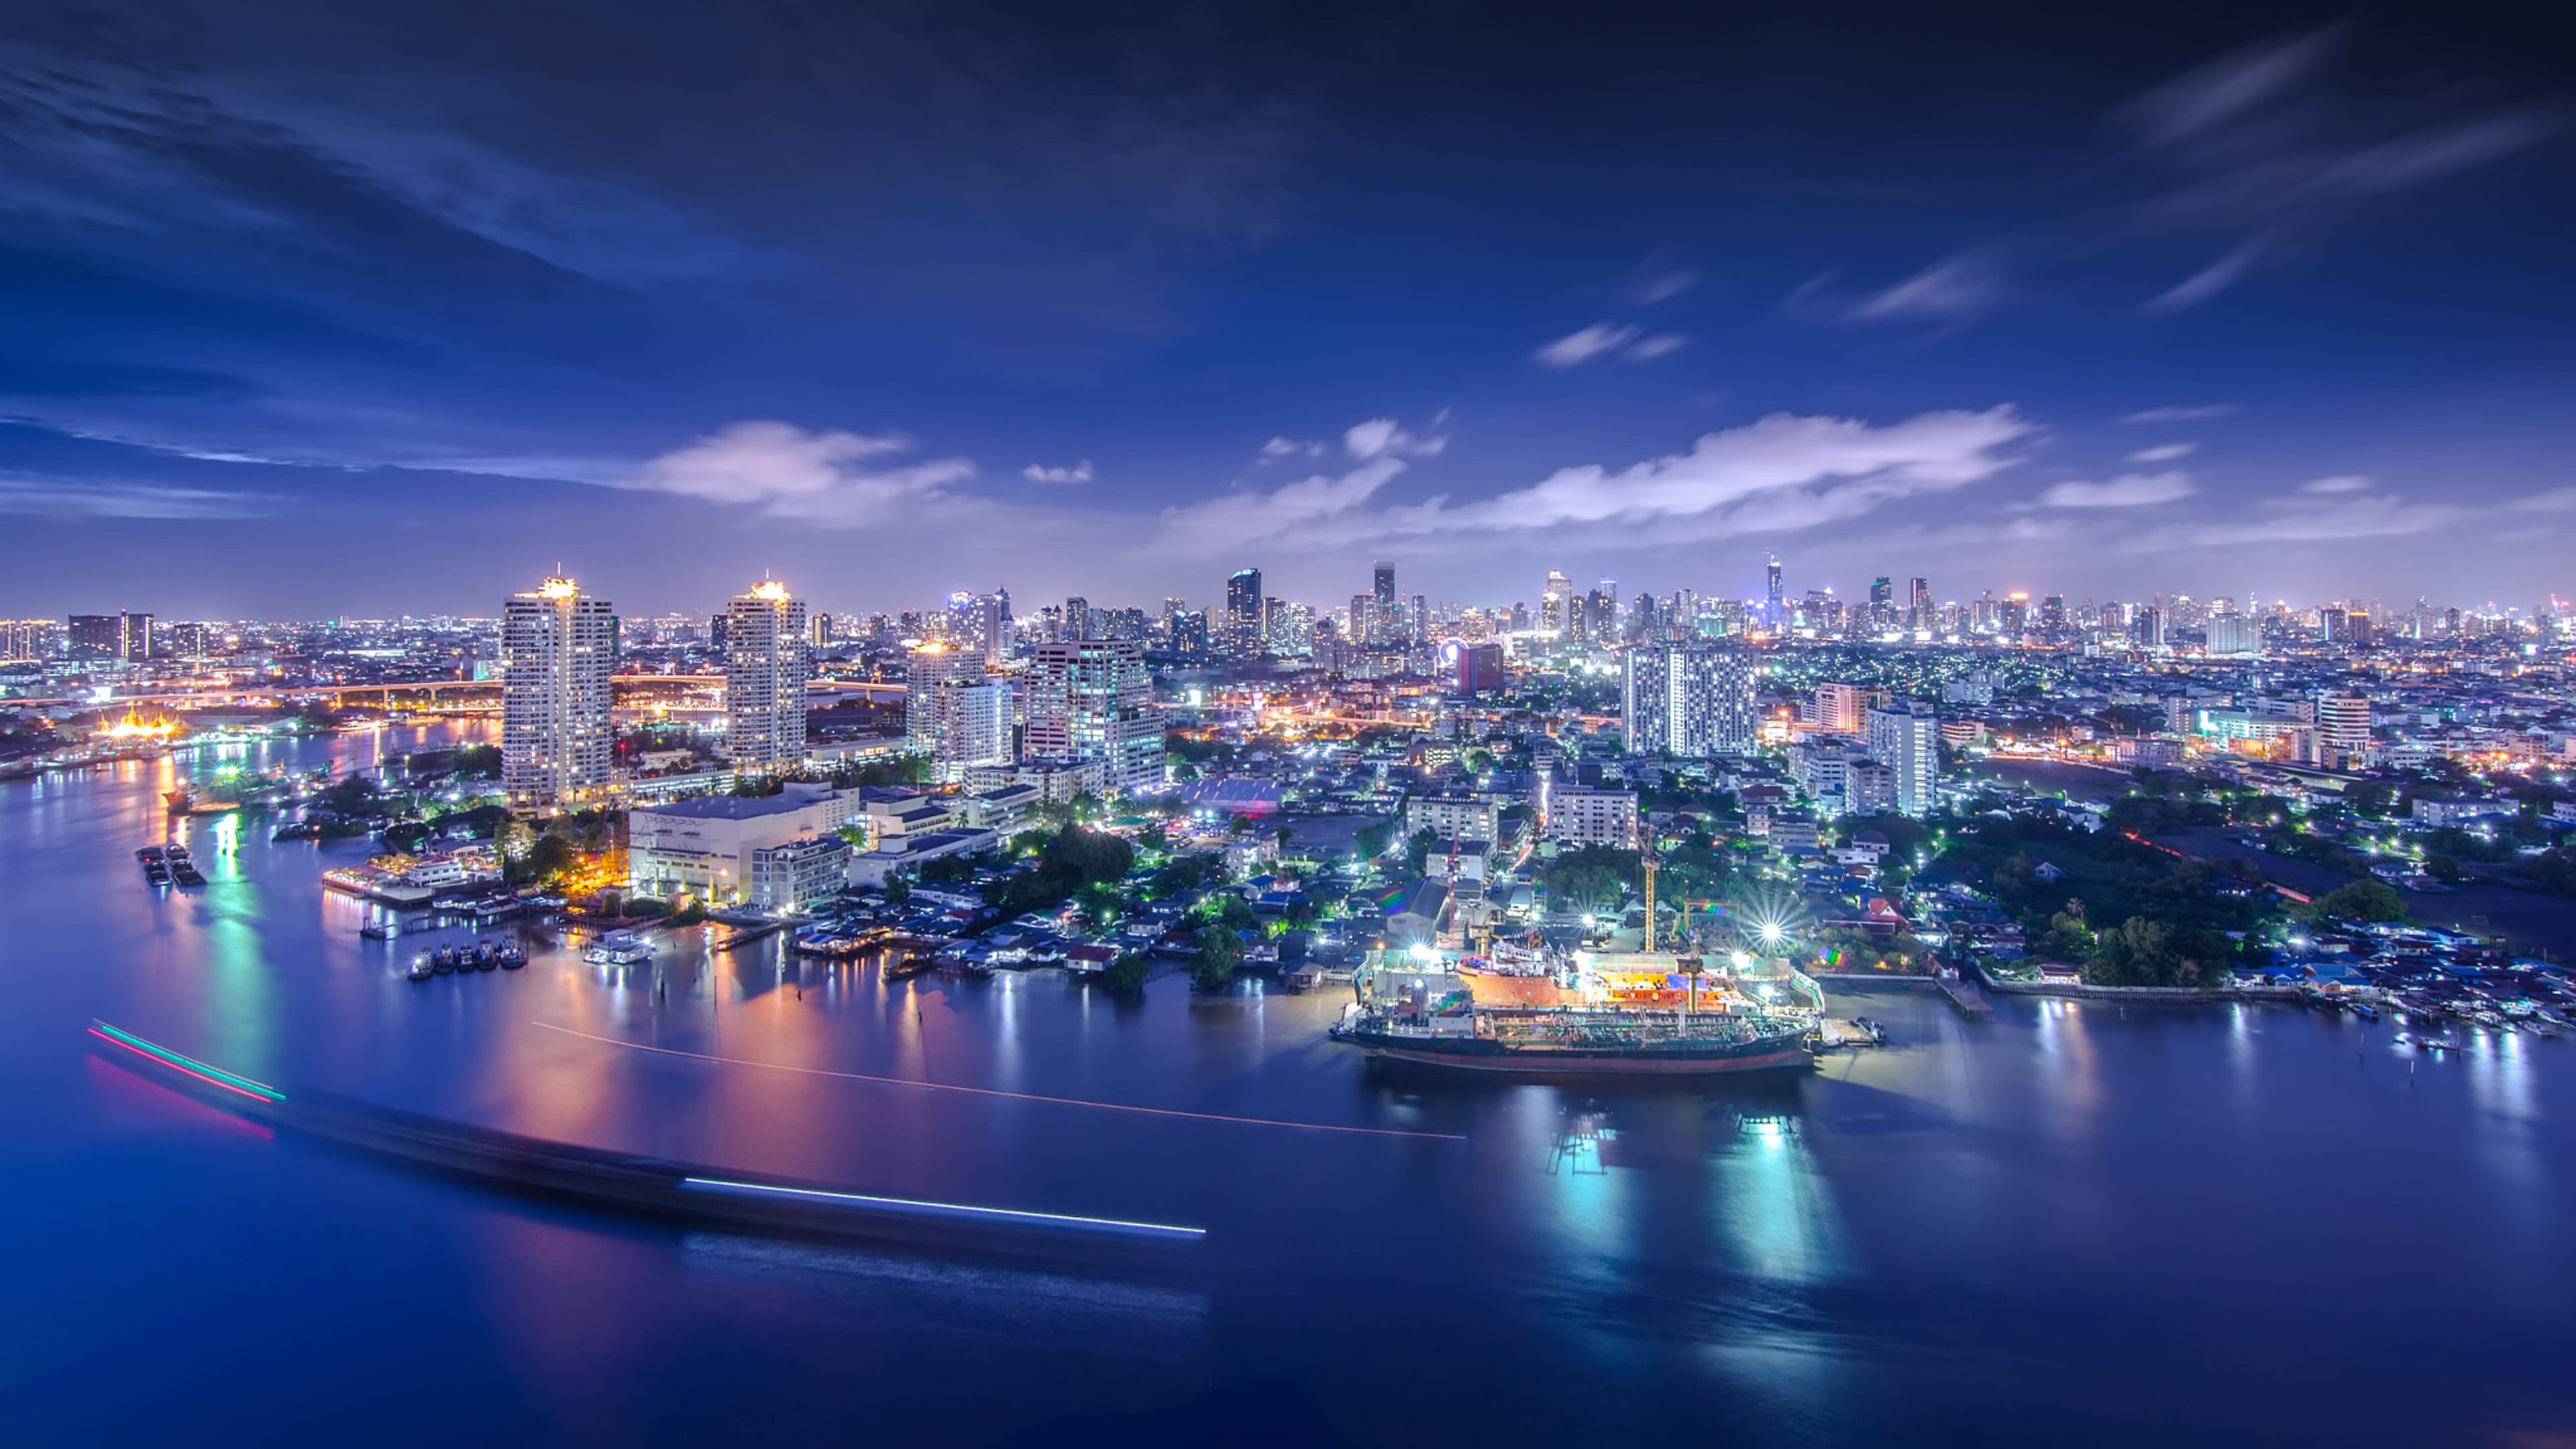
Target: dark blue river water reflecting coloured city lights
(2078, 1223)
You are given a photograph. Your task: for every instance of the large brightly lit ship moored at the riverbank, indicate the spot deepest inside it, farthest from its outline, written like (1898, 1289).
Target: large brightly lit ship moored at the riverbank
(1586, 1017)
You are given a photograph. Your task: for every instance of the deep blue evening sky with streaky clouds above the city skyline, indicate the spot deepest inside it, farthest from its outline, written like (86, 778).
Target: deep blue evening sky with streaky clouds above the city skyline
(385, 308)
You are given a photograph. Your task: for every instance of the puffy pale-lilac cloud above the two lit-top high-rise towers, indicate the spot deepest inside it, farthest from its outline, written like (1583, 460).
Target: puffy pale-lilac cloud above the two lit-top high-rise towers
(790, 473)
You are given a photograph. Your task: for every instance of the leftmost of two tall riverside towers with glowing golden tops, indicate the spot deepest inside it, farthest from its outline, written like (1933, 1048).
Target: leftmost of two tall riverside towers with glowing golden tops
(558, 654)
